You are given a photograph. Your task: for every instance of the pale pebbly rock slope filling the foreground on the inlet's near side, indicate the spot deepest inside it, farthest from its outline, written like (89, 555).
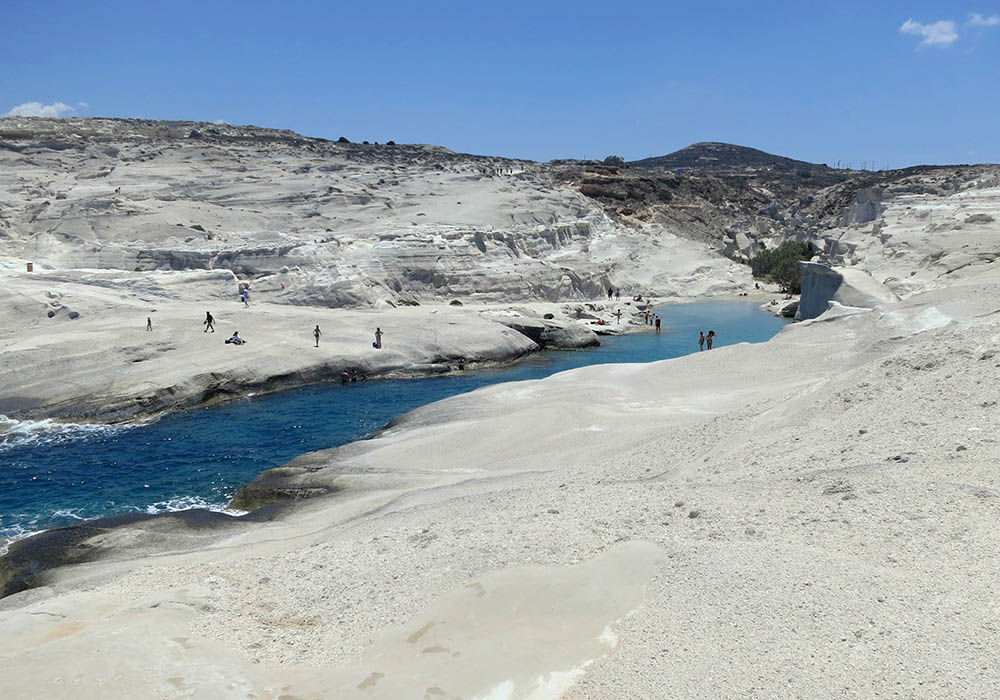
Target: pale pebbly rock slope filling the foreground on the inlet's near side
(809, 517)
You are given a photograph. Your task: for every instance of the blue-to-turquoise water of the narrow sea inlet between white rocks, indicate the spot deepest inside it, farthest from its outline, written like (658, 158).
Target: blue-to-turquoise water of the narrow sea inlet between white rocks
(57, 475)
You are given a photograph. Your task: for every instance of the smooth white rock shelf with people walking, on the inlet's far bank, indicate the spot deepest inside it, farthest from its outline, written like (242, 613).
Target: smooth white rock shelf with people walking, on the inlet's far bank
(181, 372)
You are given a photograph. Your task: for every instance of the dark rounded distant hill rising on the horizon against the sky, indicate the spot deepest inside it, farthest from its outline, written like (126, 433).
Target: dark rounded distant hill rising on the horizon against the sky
(728, 158)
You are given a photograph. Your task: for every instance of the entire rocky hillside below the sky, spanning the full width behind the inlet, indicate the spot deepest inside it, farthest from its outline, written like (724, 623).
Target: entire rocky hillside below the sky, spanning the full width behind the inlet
(316, 222)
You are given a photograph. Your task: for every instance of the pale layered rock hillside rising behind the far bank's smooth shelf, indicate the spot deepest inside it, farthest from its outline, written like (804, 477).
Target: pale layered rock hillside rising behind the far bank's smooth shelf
(314, 222)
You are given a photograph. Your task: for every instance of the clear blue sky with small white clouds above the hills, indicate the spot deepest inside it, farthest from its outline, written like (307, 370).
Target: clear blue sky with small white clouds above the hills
(890, 83)
